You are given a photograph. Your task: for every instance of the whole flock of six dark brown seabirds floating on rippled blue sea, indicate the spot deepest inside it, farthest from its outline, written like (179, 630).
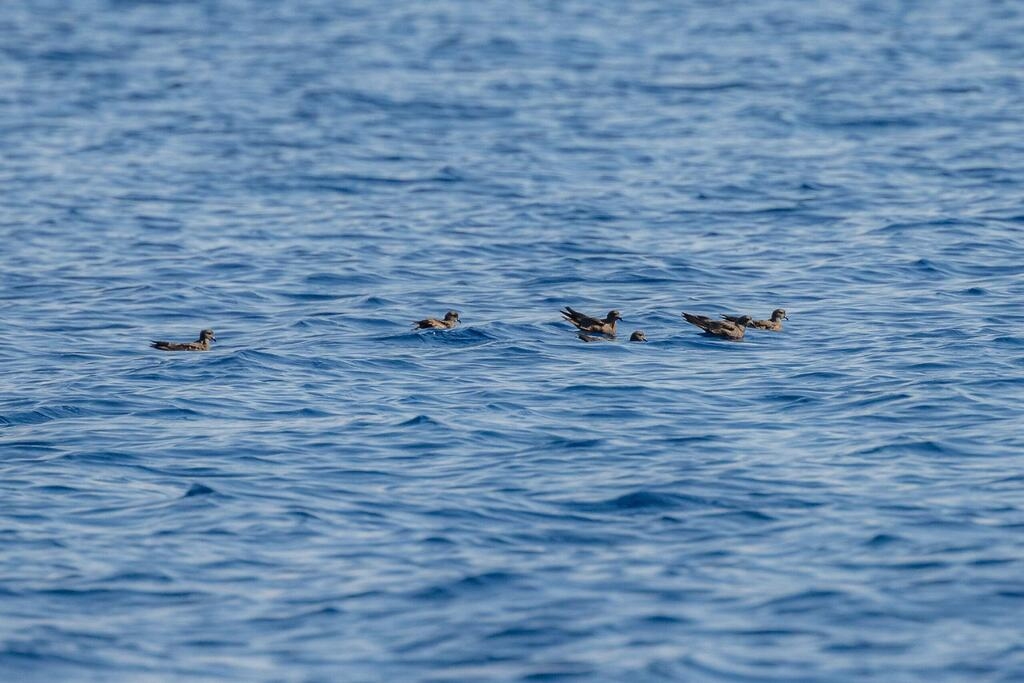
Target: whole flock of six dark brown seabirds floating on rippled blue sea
(589, 329)
